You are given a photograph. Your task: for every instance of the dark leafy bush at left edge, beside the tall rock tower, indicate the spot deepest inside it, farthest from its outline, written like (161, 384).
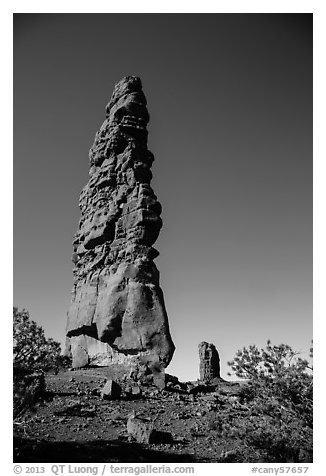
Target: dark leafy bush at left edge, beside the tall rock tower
(34, 355)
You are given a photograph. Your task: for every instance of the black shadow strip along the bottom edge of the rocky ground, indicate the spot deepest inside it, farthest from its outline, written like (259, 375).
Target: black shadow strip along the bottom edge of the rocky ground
(27, 450)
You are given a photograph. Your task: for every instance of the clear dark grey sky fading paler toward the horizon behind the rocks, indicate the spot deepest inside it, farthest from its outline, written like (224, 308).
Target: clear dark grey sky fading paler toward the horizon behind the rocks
(230, 98)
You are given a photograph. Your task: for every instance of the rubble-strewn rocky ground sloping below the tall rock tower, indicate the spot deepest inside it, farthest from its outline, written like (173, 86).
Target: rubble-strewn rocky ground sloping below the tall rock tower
(75, 424)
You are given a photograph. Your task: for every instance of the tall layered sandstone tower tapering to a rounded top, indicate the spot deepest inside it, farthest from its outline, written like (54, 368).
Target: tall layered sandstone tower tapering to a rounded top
(117, 313)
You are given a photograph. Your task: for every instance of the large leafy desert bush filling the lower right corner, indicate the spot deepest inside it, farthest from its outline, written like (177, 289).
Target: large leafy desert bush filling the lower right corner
(272, 419)
